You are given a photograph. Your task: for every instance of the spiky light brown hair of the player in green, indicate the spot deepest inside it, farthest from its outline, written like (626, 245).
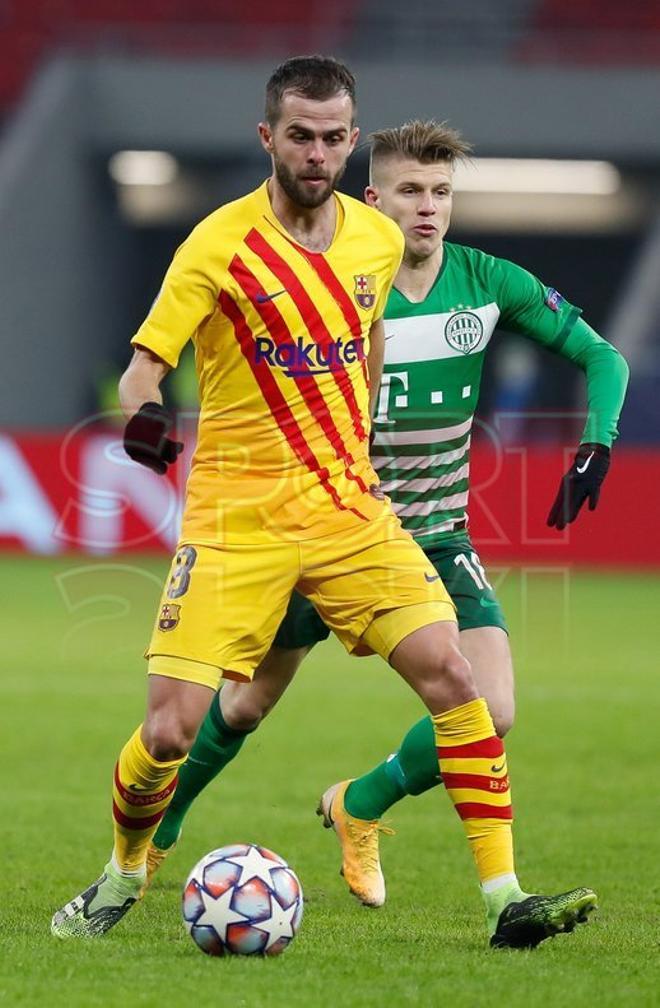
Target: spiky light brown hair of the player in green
(421, 142)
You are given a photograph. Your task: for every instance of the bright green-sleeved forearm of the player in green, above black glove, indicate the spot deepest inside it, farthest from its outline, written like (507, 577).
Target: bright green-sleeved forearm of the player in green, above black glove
(607, 380)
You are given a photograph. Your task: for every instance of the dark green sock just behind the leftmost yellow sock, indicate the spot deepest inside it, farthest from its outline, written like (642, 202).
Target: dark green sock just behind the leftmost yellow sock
(216, 745)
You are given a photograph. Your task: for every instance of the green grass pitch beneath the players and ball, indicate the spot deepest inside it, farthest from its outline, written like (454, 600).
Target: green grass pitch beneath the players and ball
(584, 760)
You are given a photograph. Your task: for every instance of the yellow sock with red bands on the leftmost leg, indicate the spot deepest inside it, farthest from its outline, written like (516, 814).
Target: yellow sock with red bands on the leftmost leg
(143, 790)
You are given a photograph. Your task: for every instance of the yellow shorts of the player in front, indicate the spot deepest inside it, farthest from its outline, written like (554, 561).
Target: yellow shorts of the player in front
(222, 605)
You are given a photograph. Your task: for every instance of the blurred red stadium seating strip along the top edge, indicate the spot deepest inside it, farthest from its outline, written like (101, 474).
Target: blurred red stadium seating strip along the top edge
(582, 32)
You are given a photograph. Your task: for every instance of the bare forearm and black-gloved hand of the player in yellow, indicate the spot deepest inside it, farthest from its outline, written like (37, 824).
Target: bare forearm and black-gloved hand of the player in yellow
(150, 423)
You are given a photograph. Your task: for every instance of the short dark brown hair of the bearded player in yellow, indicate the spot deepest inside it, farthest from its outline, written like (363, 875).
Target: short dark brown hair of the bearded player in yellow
(318, 78)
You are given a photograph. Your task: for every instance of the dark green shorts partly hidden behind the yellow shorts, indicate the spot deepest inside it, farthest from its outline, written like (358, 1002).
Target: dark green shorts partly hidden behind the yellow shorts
(465, 579)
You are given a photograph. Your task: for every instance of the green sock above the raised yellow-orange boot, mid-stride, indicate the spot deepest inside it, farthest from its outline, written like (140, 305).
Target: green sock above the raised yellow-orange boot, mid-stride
(412, 771)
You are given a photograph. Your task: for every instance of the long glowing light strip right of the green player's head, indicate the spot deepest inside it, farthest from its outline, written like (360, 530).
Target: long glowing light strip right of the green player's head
(541, 176)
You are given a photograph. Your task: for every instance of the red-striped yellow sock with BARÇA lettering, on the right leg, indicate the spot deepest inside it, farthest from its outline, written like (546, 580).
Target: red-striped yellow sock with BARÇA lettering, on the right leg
(474, 770)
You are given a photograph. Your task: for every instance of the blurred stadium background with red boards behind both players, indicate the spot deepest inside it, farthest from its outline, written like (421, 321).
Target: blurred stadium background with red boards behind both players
(122, 124)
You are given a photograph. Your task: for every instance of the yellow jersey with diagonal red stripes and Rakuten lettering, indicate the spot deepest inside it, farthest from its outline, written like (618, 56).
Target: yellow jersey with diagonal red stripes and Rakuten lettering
(281, 337)
